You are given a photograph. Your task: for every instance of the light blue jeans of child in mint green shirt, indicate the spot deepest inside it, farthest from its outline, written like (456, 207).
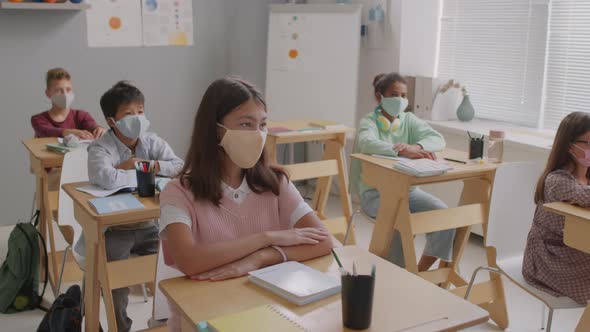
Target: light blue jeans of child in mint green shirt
(438, 244)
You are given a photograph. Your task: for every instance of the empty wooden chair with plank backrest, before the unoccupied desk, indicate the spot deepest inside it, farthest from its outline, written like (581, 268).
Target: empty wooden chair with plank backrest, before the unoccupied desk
(323, 171)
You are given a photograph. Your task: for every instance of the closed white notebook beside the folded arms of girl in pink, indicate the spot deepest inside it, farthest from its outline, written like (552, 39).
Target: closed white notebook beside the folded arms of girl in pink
(295, 282)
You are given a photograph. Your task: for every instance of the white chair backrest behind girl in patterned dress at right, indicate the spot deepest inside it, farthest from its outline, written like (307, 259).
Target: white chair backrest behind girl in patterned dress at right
(512, 208)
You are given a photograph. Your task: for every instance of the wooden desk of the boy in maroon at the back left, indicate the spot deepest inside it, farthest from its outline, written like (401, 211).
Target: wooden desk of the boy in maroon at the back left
(41, 161)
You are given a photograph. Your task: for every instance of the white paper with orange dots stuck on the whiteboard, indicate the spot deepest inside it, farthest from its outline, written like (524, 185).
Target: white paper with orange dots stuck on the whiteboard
(288, 53)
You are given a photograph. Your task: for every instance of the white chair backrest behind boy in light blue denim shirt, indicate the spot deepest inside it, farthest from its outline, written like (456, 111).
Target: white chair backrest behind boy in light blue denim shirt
(74, 169)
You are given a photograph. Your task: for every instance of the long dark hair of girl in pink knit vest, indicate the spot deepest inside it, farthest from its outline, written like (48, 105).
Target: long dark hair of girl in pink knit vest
(203, 168)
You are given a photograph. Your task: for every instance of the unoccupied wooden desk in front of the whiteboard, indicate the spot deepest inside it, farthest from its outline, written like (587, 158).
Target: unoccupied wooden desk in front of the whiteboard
(334, 142)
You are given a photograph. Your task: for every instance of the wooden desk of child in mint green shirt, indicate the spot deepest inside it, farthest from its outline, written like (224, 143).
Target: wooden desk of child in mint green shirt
(394, 188)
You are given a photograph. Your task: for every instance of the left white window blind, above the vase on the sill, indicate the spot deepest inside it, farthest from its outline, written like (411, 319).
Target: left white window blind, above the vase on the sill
(496, 48)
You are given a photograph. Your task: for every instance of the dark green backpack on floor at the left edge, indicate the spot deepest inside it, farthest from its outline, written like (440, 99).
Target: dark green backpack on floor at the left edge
(19, 274)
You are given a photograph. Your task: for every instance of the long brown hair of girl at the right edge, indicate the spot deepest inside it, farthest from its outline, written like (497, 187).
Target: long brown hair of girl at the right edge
(571, 127)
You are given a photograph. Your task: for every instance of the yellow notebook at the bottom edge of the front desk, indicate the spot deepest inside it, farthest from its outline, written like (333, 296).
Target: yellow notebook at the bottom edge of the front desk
(269, 318)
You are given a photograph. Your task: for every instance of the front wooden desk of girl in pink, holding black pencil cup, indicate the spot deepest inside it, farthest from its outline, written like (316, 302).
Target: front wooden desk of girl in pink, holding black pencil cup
(402, 301)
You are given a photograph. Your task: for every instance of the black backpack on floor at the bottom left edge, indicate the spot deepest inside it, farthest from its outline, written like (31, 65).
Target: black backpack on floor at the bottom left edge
(64, 314)
